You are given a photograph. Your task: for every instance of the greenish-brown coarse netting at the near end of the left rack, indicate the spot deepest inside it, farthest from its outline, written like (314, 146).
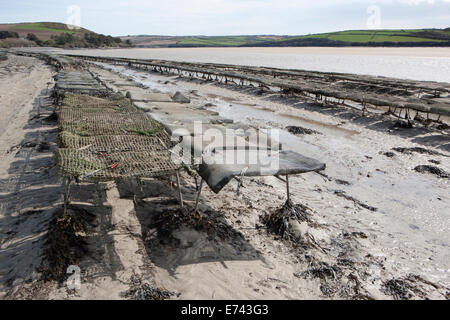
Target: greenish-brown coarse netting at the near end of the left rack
(97, 133)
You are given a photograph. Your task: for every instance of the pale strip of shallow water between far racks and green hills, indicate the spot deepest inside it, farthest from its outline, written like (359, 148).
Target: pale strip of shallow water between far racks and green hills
(431, 64)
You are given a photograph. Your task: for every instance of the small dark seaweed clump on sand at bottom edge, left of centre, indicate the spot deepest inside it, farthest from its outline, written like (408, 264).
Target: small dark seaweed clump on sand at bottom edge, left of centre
(140, 290)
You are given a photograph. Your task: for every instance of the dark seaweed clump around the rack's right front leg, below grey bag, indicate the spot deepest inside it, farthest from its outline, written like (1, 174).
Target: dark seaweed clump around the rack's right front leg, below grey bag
(278, 222)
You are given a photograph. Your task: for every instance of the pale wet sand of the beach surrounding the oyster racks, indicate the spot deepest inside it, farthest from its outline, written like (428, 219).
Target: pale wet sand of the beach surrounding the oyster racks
(376, 229)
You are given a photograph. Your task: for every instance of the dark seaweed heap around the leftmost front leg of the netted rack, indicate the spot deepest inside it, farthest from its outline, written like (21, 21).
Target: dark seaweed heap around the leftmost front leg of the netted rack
(66, 242)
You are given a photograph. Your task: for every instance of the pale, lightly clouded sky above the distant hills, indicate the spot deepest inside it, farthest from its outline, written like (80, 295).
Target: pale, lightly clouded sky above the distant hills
(230, 17)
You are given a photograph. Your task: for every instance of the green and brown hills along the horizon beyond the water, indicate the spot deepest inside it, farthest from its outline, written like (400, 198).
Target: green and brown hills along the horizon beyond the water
(62, 35)
